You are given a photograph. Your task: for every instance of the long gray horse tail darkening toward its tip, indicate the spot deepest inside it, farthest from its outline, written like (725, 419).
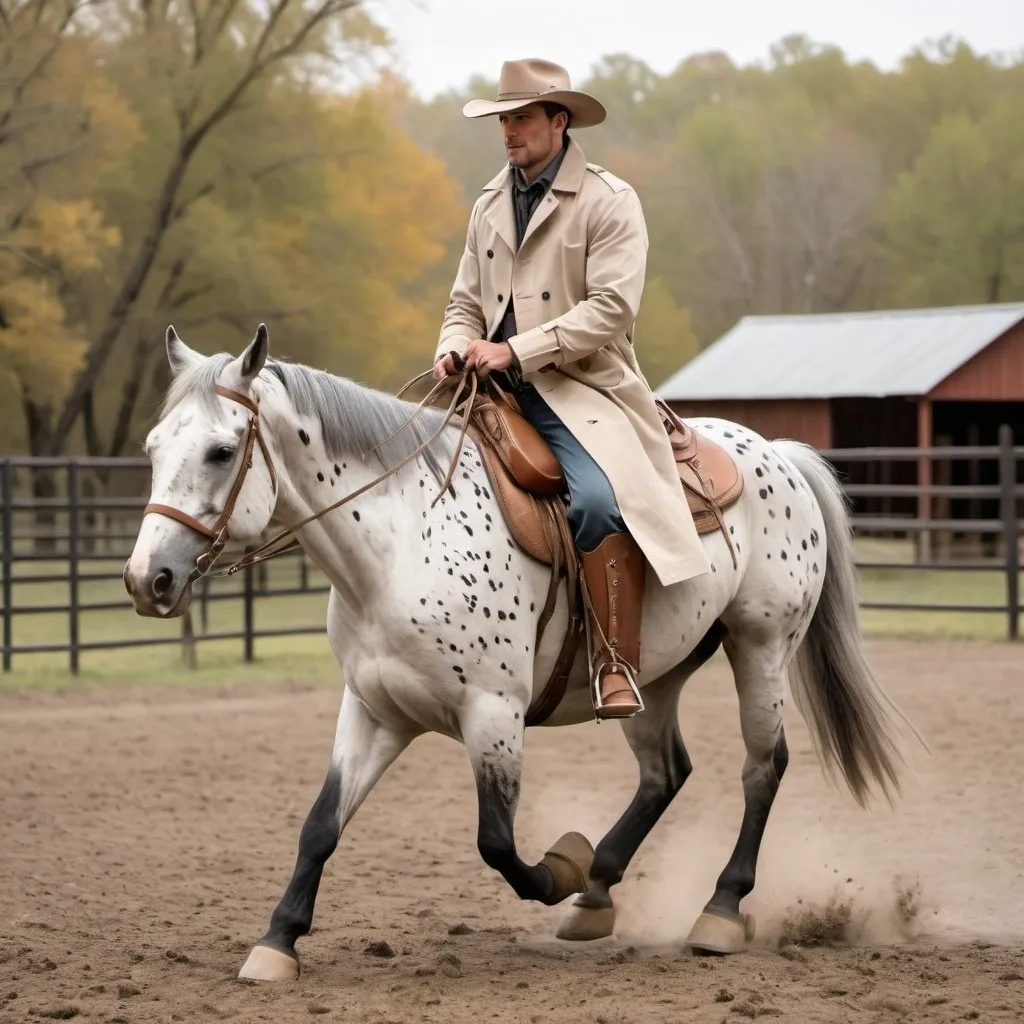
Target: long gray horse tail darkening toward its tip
(845, 708)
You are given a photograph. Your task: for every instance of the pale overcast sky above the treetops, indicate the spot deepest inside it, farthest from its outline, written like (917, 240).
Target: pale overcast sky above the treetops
(441, 44)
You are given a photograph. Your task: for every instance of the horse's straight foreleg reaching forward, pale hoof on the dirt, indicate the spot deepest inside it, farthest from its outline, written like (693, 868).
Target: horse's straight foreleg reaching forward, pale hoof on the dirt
(363, 751)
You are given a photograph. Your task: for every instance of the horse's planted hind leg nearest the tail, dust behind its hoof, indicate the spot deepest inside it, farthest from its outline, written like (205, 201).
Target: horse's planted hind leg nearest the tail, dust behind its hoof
(759, 672)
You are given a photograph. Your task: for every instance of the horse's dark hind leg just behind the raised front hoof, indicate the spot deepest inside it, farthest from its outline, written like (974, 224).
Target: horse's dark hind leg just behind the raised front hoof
(665, 766)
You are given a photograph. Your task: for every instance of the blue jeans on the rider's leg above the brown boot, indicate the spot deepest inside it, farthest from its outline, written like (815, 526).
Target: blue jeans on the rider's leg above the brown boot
(593, 511)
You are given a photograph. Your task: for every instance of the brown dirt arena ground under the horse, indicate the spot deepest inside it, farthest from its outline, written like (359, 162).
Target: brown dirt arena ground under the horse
(147, 837)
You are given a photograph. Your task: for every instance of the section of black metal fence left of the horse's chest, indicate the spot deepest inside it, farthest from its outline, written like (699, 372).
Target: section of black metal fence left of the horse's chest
(68, 529)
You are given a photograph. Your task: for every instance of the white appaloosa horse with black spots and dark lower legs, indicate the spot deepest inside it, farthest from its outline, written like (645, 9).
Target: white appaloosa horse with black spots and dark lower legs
(434, 620)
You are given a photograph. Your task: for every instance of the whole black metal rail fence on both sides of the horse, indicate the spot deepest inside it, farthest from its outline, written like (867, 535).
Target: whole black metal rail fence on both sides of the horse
(69, 525)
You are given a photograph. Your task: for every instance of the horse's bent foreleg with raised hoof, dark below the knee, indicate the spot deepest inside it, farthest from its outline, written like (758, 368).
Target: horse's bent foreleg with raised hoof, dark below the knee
(493, 734)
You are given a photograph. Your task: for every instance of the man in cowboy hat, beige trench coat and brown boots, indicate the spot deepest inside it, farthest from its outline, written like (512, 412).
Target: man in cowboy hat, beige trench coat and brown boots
(545, 301)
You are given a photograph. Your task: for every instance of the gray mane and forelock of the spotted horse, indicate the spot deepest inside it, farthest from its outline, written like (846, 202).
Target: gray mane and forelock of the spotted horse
(354, 419)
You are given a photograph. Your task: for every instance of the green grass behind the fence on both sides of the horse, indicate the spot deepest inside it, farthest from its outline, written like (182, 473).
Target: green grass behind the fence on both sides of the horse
(303, 659)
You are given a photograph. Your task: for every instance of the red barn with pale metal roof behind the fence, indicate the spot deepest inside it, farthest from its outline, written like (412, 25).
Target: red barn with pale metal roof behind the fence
(913, 378)
